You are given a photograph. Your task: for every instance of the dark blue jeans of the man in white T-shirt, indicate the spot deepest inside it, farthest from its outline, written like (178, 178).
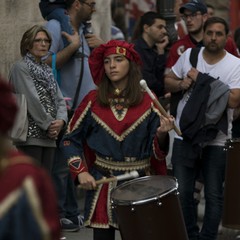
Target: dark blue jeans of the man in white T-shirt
(212, 163)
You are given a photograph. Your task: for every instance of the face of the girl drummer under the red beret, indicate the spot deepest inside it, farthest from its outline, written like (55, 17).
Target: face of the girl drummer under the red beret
(116, 68)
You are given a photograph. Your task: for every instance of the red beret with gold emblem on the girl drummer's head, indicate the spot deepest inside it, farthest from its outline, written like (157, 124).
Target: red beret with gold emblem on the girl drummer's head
(96, 59)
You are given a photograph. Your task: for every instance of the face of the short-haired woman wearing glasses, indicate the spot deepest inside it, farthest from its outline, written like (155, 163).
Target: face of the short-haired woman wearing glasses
(41, 45)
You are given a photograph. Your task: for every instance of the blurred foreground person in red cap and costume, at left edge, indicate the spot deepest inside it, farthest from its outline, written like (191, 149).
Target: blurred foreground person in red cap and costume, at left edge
(28, 208)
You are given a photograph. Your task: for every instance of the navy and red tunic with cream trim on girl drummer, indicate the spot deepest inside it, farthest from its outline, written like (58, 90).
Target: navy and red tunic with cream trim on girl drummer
(118, 139)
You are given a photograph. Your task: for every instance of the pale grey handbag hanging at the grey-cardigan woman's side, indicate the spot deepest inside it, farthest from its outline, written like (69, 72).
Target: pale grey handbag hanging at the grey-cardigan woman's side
(20, 128)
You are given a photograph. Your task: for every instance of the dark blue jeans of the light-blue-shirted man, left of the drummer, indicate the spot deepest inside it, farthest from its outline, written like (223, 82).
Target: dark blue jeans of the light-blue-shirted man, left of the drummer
(66, 191)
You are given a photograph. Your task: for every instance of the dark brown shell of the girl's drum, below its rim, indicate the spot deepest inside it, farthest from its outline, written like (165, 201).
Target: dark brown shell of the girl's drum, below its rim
(158, 219)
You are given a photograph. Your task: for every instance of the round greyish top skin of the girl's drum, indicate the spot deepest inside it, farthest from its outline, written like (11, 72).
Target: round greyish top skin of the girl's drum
(142, 189)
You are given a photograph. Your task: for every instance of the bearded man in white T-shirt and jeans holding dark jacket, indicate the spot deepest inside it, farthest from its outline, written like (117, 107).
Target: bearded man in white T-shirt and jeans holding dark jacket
(204, 114)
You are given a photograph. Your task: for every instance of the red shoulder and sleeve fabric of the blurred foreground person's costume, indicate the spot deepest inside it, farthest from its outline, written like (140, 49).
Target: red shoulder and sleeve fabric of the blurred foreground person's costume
(14, 177)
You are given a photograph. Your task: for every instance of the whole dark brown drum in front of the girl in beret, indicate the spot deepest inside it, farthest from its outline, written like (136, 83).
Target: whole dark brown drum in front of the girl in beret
(148, 208)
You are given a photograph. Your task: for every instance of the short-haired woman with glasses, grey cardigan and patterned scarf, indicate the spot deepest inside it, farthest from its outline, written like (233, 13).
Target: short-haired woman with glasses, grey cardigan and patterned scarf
(47, 111)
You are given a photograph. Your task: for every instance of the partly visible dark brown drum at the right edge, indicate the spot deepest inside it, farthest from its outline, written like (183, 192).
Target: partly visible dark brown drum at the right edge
(231, 209)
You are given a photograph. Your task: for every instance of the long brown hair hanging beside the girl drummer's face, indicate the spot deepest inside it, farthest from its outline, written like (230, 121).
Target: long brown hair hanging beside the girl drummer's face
(133, 92)
